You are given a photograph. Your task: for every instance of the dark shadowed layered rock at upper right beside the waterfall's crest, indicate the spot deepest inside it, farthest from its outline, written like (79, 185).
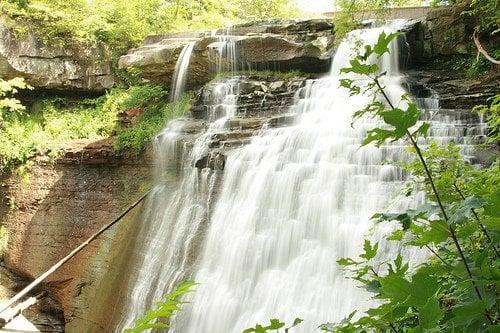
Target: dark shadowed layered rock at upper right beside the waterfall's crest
(433, 43)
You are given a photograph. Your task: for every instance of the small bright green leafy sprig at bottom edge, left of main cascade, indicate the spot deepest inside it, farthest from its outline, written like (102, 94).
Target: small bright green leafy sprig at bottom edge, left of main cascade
(164, 309)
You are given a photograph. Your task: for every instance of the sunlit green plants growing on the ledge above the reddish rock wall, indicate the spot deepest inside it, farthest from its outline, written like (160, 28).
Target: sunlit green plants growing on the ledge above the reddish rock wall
(55, 121)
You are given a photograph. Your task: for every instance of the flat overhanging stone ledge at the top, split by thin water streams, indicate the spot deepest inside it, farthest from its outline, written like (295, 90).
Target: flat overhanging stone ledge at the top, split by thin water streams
(275, 45)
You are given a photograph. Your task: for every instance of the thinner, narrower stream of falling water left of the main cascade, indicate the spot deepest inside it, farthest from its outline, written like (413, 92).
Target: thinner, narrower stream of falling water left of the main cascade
(177, 209)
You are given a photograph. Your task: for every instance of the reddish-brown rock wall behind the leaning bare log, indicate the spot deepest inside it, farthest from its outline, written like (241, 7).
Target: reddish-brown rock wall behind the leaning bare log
(61, 206)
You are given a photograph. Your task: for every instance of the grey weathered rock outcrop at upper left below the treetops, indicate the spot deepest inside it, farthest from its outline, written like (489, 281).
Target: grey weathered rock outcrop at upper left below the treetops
(50, 65)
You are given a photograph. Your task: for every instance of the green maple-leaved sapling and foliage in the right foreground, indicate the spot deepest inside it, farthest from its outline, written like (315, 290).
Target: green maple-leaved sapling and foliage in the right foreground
(456, 289)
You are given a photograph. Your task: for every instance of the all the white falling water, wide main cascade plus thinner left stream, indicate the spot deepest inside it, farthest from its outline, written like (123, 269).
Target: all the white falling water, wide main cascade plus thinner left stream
(292, 202)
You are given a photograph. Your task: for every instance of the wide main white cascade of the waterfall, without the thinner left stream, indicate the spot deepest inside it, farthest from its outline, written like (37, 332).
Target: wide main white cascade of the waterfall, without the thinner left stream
(292, 202)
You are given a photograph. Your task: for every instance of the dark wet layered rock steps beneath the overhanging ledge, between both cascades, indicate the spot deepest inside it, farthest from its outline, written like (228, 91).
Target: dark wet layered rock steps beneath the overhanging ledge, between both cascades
(258, 102)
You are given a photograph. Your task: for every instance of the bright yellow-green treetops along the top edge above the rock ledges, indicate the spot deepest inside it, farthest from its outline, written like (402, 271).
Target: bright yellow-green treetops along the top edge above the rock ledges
(124, 24)
